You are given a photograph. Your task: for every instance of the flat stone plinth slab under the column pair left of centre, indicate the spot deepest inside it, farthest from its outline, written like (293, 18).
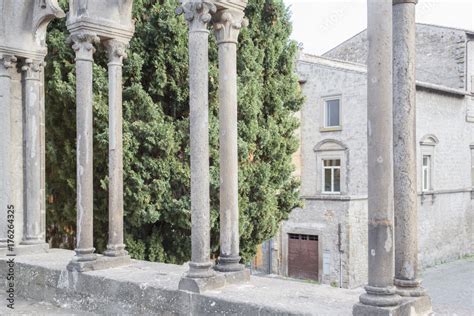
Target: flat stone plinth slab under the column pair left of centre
(99, 263)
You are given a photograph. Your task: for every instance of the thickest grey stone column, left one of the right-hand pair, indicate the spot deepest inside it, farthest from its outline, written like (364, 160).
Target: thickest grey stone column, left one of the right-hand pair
(380, 290)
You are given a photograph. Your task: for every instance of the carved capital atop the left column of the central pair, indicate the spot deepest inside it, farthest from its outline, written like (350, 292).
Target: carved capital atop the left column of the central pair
(197, 13)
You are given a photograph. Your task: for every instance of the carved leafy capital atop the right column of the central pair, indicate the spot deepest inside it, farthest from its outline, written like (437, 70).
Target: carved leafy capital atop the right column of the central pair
(227, 24)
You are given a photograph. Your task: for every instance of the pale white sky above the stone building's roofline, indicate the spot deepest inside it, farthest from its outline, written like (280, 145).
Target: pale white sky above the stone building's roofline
(323, 24)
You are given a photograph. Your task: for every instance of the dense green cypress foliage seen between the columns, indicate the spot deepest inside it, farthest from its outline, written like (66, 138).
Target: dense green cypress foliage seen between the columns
(156, 132)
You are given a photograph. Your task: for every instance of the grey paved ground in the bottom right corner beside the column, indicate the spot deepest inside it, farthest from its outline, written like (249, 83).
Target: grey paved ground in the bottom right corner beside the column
(451, 287)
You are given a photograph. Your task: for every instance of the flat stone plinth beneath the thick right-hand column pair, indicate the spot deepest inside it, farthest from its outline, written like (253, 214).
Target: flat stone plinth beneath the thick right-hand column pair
(420, 306)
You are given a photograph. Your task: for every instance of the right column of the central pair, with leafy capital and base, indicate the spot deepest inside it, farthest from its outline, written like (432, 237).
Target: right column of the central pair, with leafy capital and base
(227, 24)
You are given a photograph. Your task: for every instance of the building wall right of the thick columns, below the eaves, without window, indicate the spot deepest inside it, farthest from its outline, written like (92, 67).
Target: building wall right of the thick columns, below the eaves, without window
(446, 217)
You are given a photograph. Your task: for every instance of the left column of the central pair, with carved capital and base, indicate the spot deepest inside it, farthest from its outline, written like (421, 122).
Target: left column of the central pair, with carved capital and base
(197, 14)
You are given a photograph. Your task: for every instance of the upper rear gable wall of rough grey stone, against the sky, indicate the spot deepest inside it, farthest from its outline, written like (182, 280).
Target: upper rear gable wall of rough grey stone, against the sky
(441, 57)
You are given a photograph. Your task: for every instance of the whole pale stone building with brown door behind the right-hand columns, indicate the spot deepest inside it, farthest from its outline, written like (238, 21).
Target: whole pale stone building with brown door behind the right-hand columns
(326, 240)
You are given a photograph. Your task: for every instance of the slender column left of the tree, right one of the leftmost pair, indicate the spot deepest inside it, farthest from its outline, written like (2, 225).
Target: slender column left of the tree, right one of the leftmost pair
(32, 100)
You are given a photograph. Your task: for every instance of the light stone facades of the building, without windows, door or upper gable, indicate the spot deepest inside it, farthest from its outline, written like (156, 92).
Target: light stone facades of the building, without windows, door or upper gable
(445, 222)
